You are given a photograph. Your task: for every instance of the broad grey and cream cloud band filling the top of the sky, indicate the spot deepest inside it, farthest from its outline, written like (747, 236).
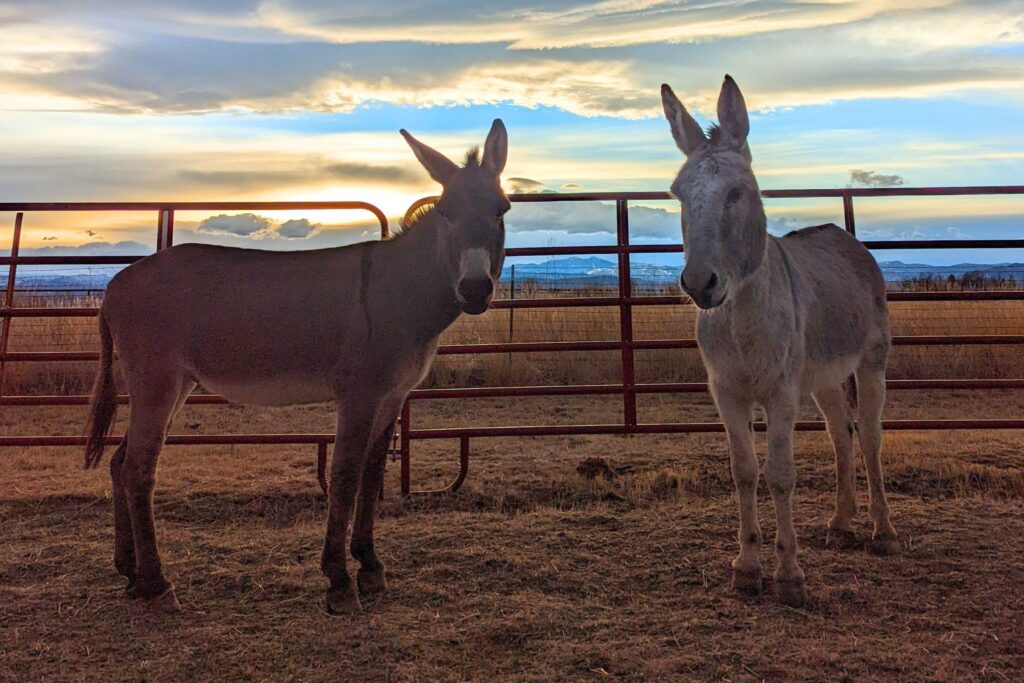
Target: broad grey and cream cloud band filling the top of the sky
(590, 59)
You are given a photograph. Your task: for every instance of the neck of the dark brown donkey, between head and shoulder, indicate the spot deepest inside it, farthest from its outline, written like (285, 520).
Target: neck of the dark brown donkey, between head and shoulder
(422, 280)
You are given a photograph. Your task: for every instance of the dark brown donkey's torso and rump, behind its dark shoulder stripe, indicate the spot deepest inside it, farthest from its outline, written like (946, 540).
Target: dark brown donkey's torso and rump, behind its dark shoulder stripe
(262, 327)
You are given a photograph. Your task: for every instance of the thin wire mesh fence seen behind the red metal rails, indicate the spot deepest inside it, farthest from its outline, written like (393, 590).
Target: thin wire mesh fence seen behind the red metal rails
(572, 324)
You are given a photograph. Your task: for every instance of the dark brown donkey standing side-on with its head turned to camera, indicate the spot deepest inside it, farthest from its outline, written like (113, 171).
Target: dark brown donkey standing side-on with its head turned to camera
(356, 325)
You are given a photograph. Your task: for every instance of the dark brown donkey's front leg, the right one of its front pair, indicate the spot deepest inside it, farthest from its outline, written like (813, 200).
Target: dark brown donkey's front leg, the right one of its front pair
(371, 577)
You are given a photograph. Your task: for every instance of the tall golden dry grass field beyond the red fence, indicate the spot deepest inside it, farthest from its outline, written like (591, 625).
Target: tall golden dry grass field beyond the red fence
(948, 318)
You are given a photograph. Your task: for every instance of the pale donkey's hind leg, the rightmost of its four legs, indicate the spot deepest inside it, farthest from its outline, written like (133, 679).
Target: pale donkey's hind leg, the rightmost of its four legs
(871, 400)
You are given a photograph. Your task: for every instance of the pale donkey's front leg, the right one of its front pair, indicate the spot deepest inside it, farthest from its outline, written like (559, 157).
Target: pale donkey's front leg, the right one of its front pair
(782, 478)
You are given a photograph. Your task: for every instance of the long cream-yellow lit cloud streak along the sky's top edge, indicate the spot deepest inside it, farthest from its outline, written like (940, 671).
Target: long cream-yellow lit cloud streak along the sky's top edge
(538, 25)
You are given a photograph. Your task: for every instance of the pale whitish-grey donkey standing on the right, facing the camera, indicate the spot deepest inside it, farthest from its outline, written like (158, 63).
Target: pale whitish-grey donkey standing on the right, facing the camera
(779, 319)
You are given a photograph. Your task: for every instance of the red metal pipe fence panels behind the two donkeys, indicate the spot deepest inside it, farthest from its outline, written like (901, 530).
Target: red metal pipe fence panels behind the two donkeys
(625, 302)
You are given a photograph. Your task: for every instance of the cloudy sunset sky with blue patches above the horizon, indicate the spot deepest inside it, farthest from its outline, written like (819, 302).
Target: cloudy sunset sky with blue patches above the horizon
(303, 100)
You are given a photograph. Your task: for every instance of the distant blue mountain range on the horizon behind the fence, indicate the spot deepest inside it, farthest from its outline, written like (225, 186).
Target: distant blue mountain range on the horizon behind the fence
(560, 273)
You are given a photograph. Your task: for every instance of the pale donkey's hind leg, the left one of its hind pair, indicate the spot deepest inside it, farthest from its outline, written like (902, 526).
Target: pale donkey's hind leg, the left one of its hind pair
(833, 404)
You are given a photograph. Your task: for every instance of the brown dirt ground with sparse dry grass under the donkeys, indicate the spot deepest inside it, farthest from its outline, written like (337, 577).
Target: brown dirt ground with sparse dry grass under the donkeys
(531, 572)
